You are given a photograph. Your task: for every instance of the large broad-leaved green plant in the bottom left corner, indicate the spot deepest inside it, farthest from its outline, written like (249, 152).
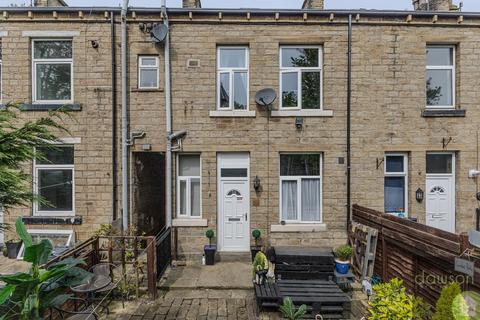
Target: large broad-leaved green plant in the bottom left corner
(29, 295)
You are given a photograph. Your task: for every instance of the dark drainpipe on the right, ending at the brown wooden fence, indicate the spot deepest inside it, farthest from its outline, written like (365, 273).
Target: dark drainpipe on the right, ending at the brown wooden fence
(349, 107)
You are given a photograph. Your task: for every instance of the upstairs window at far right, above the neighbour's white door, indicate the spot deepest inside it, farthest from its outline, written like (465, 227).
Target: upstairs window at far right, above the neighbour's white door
(440, 82)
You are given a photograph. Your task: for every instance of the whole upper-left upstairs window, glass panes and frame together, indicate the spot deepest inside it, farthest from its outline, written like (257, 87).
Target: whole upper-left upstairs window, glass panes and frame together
(52, 71)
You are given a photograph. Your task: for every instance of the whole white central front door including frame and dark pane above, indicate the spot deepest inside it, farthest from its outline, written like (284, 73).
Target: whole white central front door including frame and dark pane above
(233, 202)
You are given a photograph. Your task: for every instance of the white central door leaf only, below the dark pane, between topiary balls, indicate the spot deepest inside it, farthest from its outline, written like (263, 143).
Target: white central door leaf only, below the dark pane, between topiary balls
(235, 213)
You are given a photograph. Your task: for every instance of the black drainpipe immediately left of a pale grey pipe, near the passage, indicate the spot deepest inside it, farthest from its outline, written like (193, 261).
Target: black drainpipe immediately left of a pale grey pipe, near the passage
(114, 118)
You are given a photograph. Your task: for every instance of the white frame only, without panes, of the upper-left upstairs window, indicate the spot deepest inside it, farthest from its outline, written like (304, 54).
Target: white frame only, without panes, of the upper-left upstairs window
(36, 61)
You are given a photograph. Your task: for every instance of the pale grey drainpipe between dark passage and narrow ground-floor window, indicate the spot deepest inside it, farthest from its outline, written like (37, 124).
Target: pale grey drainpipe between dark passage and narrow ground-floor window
(168, 116)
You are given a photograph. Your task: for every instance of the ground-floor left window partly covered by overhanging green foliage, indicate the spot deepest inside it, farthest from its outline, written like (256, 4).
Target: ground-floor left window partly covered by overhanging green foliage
(54, 181)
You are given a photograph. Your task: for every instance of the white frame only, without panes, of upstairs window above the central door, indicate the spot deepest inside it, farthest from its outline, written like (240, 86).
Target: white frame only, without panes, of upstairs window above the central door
(231, 72)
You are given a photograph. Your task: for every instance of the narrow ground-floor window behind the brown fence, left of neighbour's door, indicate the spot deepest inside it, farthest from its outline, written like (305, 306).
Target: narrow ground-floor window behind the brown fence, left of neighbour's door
(395, 187)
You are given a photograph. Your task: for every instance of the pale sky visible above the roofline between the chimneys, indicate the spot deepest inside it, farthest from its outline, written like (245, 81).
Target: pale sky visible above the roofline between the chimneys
(469, 5)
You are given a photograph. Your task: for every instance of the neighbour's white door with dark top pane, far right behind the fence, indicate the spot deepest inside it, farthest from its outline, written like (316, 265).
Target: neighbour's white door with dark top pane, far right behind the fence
(440, 191)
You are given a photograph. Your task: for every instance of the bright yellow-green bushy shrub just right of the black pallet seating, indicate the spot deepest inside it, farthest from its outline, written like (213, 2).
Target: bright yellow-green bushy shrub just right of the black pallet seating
(390, 301)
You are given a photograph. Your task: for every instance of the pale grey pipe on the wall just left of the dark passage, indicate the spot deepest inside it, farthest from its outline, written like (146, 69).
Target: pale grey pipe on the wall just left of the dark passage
(125, 200)
